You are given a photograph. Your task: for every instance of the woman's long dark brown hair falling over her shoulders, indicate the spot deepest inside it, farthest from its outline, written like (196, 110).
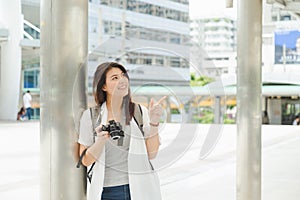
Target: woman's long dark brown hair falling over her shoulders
(101, 96)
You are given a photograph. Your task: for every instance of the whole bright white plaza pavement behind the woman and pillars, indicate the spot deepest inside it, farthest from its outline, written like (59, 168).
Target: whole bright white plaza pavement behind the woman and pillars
(185, 177)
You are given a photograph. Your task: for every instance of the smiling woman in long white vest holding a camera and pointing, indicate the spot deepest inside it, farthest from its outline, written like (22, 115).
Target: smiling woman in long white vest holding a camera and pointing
(122, 170)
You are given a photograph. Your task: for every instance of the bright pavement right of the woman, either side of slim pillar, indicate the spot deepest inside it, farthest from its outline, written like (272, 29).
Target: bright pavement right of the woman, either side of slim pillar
(214, 178)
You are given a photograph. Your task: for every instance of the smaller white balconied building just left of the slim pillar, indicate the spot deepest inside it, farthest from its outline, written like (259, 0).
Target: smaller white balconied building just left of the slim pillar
(214, 38)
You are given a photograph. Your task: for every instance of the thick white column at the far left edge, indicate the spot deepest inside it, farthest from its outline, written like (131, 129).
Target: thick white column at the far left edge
(11, 19)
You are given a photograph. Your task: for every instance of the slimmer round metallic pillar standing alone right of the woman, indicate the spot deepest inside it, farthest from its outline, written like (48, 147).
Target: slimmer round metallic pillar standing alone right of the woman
(249, 44)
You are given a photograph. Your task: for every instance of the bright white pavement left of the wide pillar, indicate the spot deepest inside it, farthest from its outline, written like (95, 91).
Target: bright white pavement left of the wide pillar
(19, 155)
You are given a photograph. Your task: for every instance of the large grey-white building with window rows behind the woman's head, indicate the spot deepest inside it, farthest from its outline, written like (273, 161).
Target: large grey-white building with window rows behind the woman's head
(149, 37)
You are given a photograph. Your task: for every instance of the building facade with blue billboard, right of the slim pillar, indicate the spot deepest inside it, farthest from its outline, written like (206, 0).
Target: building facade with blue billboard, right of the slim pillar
(281, 61)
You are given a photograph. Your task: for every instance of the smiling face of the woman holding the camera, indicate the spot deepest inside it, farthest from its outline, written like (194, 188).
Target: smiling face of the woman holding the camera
(116, 83)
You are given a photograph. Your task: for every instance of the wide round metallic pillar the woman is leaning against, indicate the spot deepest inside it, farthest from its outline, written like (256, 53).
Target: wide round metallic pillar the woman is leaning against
(64, 26)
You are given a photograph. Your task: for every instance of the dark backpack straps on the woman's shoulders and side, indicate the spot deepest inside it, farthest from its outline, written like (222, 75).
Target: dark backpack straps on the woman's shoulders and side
(95, 112)
